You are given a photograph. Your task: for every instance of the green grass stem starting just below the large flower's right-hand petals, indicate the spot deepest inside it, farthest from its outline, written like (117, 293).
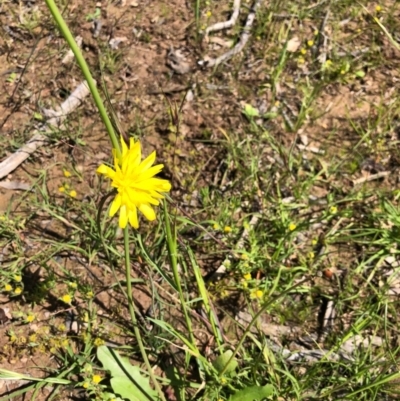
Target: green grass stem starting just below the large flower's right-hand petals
(172, 253)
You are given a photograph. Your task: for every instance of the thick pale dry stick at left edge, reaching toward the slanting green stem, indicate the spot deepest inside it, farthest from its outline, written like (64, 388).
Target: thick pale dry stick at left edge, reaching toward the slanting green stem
(39, 138)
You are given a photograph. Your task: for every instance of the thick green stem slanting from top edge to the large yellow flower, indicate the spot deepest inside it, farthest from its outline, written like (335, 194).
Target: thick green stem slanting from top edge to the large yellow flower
(62, 26)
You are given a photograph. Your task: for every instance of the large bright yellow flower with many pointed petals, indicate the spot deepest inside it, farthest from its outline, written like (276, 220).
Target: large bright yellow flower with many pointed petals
(136, 185)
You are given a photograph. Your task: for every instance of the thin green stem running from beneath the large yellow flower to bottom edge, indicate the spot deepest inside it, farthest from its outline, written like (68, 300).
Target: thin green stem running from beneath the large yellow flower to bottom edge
(133, 315)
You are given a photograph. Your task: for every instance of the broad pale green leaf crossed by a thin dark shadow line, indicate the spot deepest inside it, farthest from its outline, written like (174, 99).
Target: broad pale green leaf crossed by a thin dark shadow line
(127, 381)
